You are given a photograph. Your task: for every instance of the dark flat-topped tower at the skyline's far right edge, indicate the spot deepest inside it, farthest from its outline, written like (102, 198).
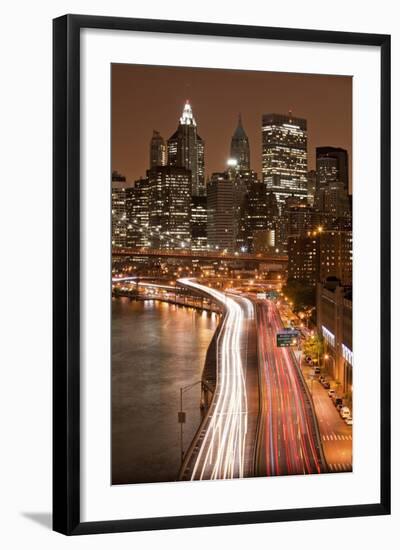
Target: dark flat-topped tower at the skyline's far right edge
(332, 165)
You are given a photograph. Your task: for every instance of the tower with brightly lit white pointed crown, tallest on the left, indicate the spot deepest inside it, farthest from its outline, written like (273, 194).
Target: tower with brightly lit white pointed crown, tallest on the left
(186, 149)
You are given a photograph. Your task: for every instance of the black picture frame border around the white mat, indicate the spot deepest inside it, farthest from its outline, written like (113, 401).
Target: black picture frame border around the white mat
(66, 273)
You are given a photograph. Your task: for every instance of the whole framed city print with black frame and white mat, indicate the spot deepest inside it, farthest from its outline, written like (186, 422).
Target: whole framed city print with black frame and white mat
(217, 190)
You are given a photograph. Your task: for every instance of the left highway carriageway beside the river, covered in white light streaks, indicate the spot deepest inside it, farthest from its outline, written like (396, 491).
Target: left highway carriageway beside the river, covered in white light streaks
(226, 445)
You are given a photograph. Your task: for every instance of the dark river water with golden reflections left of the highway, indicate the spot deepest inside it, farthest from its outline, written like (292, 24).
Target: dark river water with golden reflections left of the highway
(157, 348)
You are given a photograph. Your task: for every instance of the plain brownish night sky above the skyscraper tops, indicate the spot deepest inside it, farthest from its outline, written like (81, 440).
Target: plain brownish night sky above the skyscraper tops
(217, 98)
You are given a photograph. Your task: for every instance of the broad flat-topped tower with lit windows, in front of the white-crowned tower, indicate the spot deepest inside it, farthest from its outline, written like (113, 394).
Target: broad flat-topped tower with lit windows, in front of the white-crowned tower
(169, 206)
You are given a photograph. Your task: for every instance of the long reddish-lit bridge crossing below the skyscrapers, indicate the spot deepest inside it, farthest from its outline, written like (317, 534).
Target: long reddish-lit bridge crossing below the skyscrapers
(200, 255)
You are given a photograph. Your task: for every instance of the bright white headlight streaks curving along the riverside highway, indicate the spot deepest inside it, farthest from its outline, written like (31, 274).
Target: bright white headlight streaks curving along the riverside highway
(222, 451)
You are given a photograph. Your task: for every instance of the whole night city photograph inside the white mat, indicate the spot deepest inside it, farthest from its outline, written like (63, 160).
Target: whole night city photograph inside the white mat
(231, 276)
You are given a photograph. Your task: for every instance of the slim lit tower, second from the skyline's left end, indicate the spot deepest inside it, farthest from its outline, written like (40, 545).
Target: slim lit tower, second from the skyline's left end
(137, 212)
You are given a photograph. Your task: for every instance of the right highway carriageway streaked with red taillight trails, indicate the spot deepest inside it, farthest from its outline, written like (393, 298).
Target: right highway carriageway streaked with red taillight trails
(288, 436)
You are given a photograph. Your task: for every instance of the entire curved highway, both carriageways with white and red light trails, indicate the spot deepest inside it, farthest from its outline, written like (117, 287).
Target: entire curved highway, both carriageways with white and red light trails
(261, 421)
